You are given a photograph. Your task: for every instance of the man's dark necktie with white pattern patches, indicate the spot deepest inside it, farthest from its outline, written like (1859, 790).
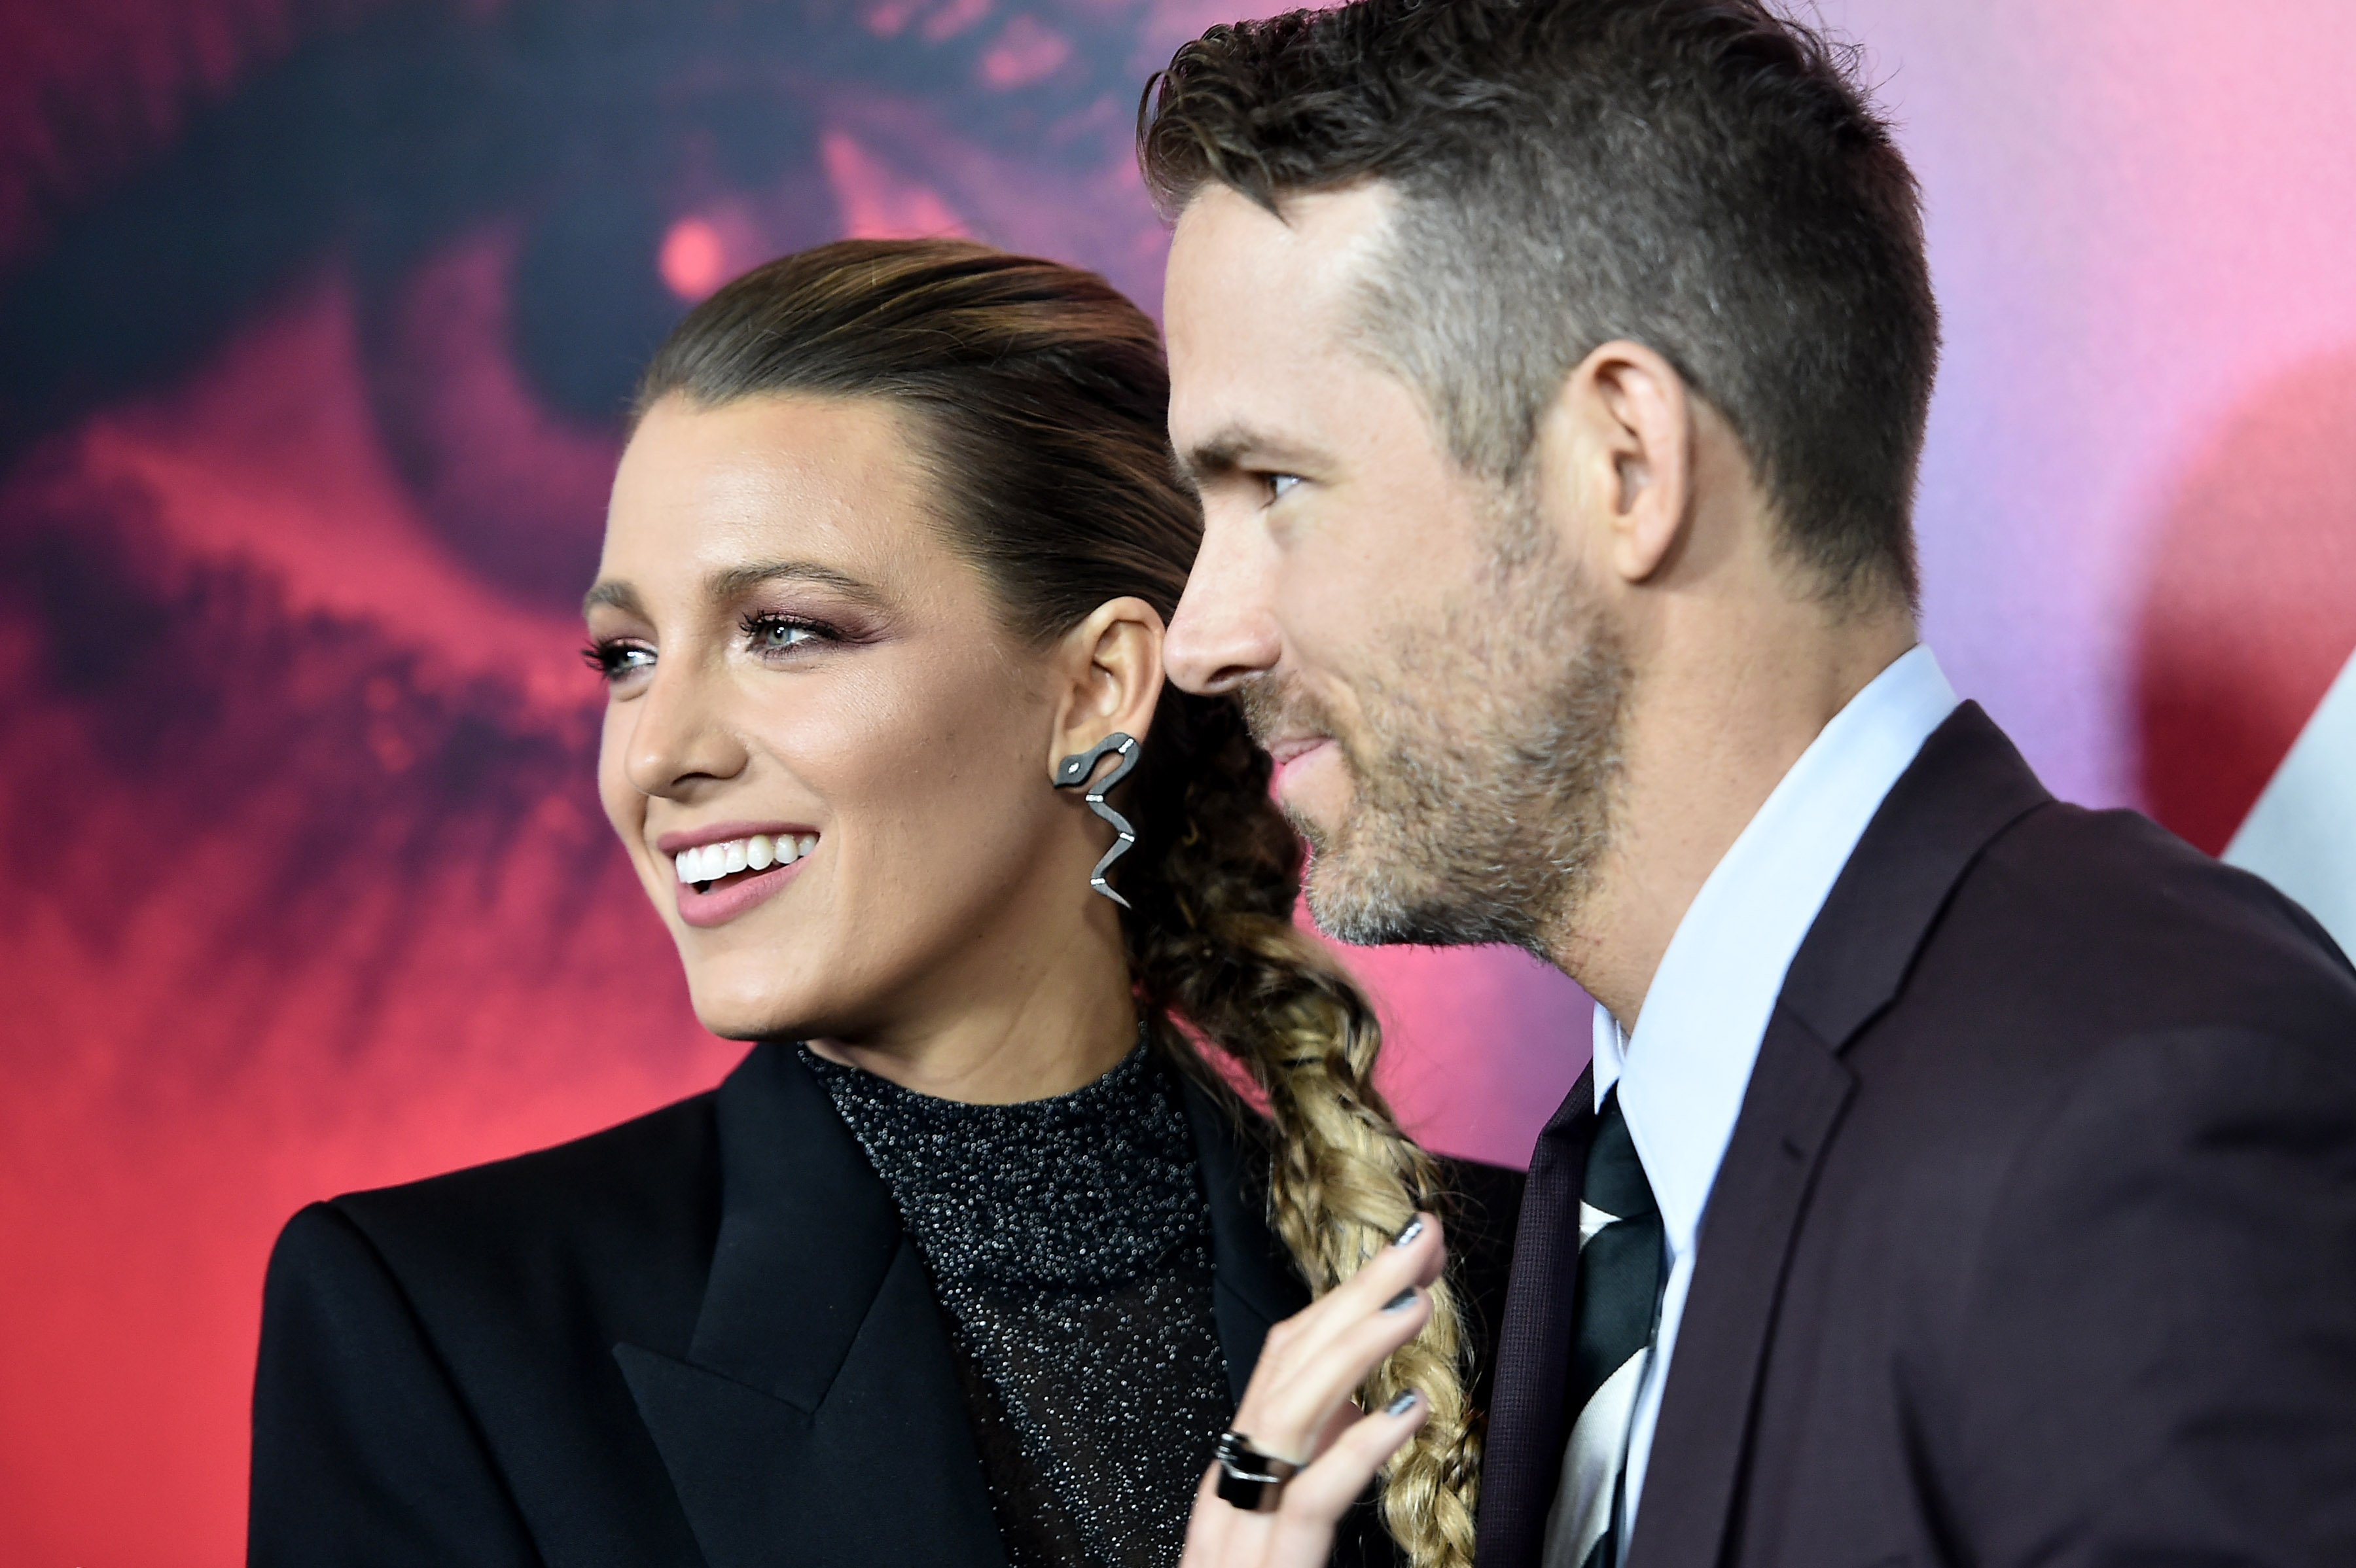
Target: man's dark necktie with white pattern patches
(1615, 1310)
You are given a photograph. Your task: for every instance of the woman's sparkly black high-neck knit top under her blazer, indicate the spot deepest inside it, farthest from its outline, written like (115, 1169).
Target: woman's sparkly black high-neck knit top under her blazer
(1071, 1244)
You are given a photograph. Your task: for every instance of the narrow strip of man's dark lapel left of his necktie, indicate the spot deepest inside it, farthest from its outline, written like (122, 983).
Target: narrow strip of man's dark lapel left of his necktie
(1528, 1423)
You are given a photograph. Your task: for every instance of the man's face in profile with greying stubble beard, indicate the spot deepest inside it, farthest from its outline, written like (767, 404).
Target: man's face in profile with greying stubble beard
(1415, 644)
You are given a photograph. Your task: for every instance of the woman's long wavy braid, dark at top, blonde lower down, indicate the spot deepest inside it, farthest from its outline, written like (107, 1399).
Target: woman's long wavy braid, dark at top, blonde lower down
(1215, 948)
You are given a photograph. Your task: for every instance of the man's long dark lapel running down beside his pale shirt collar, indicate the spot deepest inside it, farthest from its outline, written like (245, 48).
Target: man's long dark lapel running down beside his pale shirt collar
(1959, 795)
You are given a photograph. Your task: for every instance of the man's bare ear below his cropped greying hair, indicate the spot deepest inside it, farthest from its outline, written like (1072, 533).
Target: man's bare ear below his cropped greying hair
(1617, 449)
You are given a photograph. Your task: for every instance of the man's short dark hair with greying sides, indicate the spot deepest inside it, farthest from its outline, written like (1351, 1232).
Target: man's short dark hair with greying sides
(1705, 178)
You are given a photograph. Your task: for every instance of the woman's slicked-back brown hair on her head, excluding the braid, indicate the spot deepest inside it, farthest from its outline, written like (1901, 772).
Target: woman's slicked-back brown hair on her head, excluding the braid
(1040, 392)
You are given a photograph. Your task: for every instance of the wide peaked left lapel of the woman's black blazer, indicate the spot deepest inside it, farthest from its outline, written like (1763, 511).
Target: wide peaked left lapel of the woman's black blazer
(816, 1416)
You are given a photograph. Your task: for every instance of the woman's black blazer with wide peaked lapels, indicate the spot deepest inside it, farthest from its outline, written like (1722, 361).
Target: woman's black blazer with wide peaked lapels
(699, 1338)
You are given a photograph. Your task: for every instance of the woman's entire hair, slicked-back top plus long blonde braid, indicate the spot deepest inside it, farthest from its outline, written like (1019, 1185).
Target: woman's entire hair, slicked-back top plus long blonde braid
(1040, 397)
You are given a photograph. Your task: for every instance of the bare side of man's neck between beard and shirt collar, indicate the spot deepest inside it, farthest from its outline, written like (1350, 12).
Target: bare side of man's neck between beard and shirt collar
(1705, 745)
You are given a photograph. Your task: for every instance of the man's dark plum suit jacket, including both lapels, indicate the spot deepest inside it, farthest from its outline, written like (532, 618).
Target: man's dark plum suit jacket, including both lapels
(2037, 1240)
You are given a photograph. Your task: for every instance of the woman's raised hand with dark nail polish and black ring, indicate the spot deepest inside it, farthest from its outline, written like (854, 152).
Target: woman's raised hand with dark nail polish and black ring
(1302, 1409)
